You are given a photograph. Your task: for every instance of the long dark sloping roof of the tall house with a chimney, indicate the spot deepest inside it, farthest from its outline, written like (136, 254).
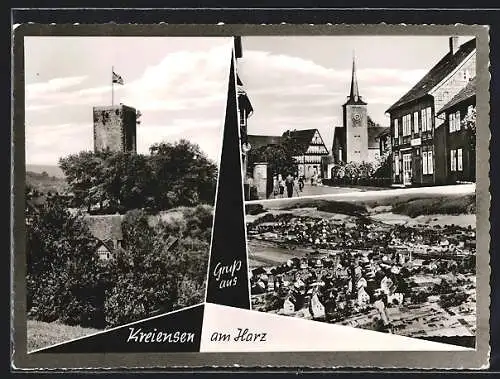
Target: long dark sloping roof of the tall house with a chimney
(443, 68)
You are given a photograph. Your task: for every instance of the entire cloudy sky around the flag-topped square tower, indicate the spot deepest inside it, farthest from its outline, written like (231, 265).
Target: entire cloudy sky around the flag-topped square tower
(178, 83)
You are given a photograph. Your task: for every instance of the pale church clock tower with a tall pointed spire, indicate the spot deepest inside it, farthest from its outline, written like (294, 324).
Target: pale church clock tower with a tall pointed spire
(355, 123)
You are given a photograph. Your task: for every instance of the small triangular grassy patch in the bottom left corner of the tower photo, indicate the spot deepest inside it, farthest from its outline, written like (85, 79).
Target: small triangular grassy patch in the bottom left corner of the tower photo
(44, 334)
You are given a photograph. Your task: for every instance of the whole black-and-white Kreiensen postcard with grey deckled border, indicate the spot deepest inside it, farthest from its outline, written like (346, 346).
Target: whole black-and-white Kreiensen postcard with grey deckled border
(193, 197)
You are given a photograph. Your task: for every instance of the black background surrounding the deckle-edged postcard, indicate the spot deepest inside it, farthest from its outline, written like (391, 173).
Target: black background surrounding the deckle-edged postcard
(414, 12)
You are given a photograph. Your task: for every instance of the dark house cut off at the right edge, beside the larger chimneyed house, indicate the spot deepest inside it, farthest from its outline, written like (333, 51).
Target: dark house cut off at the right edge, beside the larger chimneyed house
(455, 140)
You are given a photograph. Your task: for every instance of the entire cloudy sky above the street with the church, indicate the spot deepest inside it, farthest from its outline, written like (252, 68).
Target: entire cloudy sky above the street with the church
(301, 82)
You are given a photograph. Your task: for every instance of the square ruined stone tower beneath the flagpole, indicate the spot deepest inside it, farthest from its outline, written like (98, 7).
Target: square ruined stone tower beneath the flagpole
(115, 128)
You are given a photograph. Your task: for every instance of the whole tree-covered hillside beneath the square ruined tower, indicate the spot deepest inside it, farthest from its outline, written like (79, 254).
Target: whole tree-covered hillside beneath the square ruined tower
(67, 283)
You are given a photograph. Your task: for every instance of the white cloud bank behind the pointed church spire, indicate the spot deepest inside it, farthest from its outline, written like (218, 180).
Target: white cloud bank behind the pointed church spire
(292, 92)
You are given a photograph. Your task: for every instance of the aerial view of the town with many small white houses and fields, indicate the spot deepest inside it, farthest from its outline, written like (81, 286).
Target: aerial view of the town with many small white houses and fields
(399, 263)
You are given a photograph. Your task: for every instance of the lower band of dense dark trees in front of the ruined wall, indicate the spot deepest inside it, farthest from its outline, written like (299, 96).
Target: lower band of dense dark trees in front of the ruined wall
(67, 282)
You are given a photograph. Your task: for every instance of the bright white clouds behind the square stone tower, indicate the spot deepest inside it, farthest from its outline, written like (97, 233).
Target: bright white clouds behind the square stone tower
(181, 96)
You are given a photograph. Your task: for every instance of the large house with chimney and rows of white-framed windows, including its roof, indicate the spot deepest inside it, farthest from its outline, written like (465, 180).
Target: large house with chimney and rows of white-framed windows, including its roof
(413, 120)
